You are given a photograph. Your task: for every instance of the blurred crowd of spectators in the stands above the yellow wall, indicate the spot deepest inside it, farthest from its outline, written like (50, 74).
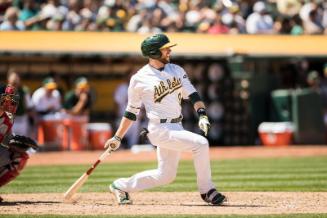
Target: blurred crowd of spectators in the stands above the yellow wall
(294, 17)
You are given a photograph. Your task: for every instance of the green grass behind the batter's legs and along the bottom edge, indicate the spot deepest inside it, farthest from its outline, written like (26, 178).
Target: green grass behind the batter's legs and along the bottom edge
(308, 174)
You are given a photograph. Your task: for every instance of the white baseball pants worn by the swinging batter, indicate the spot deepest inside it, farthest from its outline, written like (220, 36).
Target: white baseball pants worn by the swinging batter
(171, 139)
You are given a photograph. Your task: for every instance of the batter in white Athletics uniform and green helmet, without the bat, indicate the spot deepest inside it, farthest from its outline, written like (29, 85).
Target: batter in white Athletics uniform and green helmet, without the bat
(161, 86)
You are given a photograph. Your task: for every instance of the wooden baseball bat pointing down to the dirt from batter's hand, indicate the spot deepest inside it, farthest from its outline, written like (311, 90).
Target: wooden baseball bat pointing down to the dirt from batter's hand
(80, 181)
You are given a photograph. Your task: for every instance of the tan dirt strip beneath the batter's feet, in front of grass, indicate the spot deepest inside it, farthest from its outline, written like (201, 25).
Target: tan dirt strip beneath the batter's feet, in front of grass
(167, 203)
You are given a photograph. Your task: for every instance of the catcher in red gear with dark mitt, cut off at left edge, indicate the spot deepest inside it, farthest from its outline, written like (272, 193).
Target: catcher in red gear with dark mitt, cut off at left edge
(13, 148)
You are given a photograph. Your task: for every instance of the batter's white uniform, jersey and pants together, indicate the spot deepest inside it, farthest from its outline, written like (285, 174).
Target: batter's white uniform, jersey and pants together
(161, 93)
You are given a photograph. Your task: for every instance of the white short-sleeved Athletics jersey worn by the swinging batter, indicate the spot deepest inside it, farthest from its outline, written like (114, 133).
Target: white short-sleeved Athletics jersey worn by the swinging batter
(161, 92)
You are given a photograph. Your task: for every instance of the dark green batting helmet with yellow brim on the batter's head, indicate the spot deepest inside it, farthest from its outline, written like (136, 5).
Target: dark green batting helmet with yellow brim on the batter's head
(151, 46)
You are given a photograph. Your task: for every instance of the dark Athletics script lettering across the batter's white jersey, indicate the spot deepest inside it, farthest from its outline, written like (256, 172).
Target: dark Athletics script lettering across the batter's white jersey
(163, 89)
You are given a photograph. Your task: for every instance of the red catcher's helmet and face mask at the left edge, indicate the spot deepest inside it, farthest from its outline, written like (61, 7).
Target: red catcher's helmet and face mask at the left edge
(9, 100)
